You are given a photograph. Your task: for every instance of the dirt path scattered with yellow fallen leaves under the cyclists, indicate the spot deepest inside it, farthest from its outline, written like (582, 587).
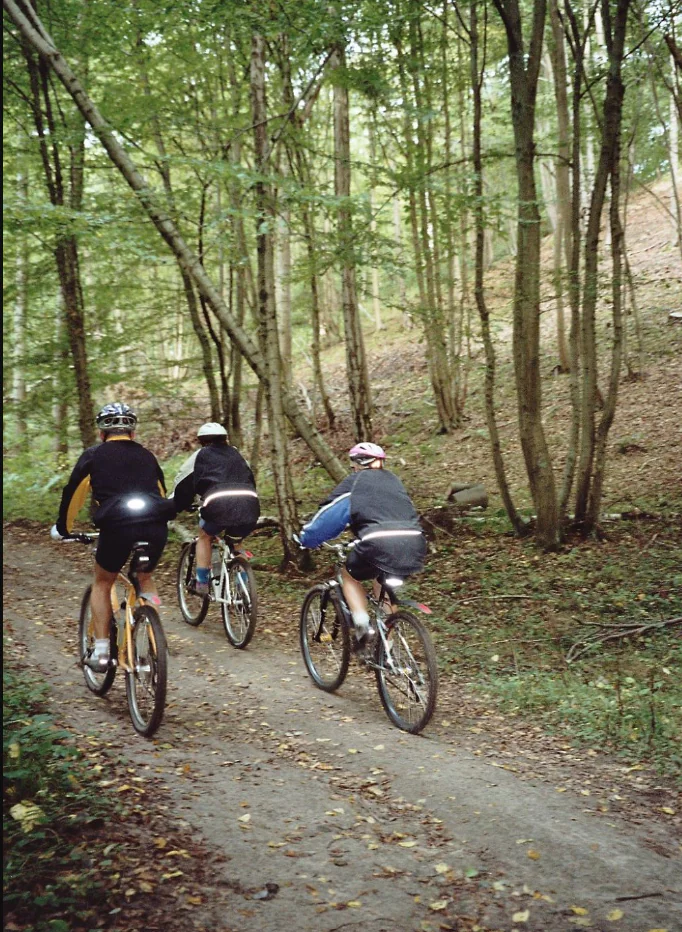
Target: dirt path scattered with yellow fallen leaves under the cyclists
(351, 823)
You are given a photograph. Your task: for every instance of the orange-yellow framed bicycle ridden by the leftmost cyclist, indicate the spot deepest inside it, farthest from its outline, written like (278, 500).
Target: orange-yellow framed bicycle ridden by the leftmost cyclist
(138, 644)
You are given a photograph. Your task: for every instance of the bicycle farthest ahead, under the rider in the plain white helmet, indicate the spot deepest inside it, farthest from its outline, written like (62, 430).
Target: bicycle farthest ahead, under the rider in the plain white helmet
(232, 585)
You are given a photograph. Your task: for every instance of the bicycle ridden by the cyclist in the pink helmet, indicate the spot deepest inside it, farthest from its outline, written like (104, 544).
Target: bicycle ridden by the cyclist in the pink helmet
(401, 653)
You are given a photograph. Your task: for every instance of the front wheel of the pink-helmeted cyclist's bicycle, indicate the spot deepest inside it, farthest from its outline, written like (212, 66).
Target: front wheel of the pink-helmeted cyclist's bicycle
(324, 636)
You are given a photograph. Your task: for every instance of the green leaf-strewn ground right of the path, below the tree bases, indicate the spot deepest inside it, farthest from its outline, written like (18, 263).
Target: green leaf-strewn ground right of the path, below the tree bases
(505, 617)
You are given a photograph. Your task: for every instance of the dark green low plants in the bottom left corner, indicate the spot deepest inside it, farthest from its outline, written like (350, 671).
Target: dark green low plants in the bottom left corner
(48, 804)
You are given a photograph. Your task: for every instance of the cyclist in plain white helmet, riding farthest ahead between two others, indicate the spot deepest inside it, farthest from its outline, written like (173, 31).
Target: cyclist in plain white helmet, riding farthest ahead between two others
(220, 476)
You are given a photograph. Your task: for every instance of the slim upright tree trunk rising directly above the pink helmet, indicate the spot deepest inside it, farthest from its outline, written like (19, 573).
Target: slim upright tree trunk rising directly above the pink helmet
(356, 361)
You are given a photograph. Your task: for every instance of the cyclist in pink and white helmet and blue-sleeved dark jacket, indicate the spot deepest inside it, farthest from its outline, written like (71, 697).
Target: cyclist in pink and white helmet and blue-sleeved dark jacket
(373, 502)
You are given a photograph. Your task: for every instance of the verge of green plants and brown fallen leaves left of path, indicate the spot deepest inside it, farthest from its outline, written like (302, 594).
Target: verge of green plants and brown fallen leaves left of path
(82, 849)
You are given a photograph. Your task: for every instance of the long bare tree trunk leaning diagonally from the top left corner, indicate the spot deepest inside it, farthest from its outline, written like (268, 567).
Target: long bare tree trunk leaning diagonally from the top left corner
(34, 33)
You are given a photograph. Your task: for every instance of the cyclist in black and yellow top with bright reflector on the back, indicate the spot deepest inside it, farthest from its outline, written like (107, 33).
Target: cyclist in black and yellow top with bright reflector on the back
(128, 488)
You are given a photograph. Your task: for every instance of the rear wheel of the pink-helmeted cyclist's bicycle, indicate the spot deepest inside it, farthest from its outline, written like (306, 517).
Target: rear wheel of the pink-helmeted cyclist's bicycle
(407, 672)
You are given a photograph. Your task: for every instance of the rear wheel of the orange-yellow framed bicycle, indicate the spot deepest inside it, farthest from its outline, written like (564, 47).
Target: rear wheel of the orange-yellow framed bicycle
(146, 681)
